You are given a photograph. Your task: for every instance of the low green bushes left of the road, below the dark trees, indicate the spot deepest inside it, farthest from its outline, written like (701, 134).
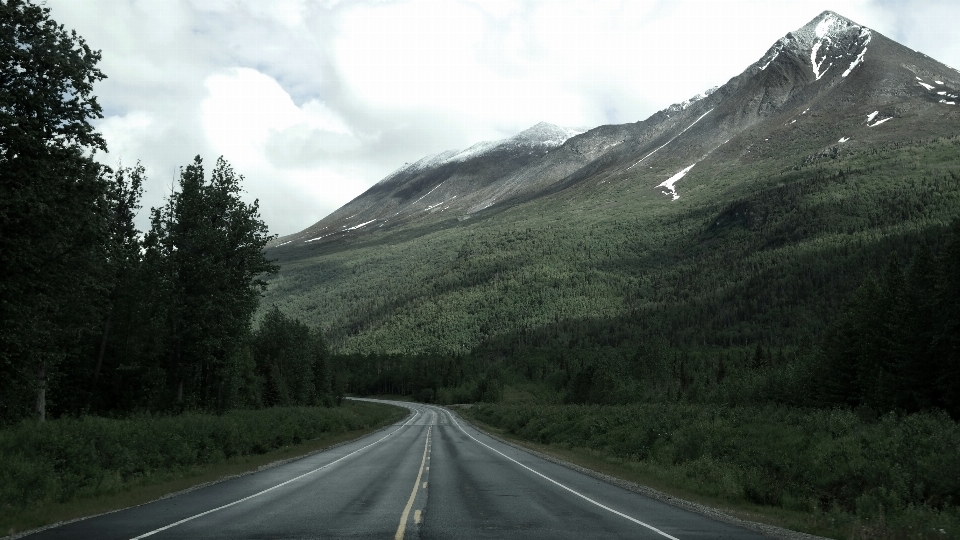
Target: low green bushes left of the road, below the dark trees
(68, 458)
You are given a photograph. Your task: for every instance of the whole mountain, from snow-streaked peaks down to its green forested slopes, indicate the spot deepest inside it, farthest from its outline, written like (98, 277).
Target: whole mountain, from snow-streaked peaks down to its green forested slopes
(742, 215)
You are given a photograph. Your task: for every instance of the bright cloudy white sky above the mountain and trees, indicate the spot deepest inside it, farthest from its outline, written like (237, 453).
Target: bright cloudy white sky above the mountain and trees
(313, 101)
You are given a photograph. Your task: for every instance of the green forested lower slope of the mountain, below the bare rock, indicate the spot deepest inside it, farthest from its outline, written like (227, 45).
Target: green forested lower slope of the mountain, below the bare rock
(608, 277)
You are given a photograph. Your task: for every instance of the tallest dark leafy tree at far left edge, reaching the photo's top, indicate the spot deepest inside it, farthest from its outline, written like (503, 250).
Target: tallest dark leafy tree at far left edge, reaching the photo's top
(53, 201)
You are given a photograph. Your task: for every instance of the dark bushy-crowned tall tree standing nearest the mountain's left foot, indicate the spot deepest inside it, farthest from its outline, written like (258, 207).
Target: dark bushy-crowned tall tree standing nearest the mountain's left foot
(207, 247)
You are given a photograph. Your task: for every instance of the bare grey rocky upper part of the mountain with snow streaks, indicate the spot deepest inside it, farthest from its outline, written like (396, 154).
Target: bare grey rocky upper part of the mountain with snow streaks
(830, 82)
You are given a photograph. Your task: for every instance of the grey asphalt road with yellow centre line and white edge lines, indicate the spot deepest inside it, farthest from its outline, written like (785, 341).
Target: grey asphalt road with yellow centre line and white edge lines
(428, 476)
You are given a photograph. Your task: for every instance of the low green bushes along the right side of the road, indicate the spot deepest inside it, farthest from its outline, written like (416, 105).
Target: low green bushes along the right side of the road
(850, 463)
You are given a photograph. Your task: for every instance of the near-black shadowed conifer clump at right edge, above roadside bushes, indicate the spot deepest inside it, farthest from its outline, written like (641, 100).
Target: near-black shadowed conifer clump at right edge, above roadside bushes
(892, 346)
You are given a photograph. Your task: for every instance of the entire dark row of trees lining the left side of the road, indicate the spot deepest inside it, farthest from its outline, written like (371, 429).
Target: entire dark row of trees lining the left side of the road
(97, 317)
